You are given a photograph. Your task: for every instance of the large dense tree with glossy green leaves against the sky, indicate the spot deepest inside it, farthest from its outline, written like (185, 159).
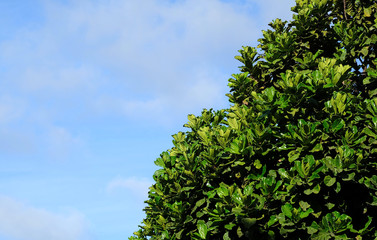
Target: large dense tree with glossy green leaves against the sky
(294, 157)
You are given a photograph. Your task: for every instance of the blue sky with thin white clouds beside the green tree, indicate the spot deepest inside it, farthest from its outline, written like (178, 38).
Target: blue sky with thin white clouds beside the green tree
(91, 92)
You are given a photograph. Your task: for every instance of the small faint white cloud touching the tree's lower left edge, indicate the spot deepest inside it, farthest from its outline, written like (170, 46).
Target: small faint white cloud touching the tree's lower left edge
(138, 186)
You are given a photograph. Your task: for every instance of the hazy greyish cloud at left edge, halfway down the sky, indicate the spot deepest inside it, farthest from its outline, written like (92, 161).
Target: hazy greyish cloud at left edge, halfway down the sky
(26, 133)
